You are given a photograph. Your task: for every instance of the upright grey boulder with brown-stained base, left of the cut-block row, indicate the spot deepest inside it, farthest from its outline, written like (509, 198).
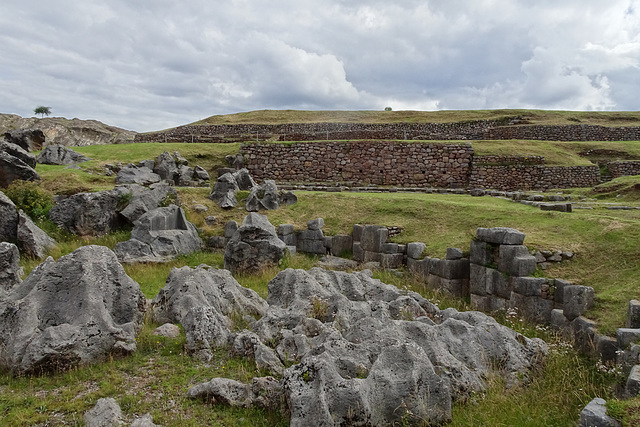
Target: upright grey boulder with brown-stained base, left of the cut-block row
(254, 246)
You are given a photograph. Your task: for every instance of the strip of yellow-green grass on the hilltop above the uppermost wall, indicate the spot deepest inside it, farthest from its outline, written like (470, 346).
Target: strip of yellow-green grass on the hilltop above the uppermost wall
(538, 117)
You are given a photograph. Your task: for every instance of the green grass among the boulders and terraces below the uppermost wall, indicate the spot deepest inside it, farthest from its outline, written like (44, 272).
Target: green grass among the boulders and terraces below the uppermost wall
(156, 378)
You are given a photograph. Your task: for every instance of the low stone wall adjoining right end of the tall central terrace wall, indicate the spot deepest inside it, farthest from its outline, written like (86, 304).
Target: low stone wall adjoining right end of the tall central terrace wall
(535, 177)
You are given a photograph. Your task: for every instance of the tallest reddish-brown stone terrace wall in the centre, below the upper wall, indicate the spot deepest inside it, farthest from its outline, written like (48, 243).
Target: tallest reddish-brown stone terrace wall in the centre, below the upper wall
(362, 163)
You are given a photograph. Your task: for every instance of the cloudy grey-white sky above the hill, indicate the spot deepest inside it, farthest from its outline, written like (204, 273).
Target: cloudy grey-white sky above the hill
(147, 65)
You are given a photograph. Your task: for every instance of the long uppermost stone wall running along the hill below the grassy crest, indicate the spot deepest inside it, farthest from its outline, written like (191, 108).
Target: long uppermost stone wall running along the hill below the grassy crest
(468, 130)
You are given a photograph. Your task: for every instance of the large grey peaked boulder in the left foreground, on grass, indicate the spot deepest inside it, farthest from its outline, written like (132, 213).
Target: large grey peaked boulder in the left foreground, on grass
(75, 311)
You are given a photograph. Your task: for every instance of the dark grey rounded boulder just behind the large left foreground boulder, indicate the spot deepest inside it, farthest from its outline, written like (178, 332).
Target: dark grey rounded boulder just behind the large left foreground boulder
(91, 214)
